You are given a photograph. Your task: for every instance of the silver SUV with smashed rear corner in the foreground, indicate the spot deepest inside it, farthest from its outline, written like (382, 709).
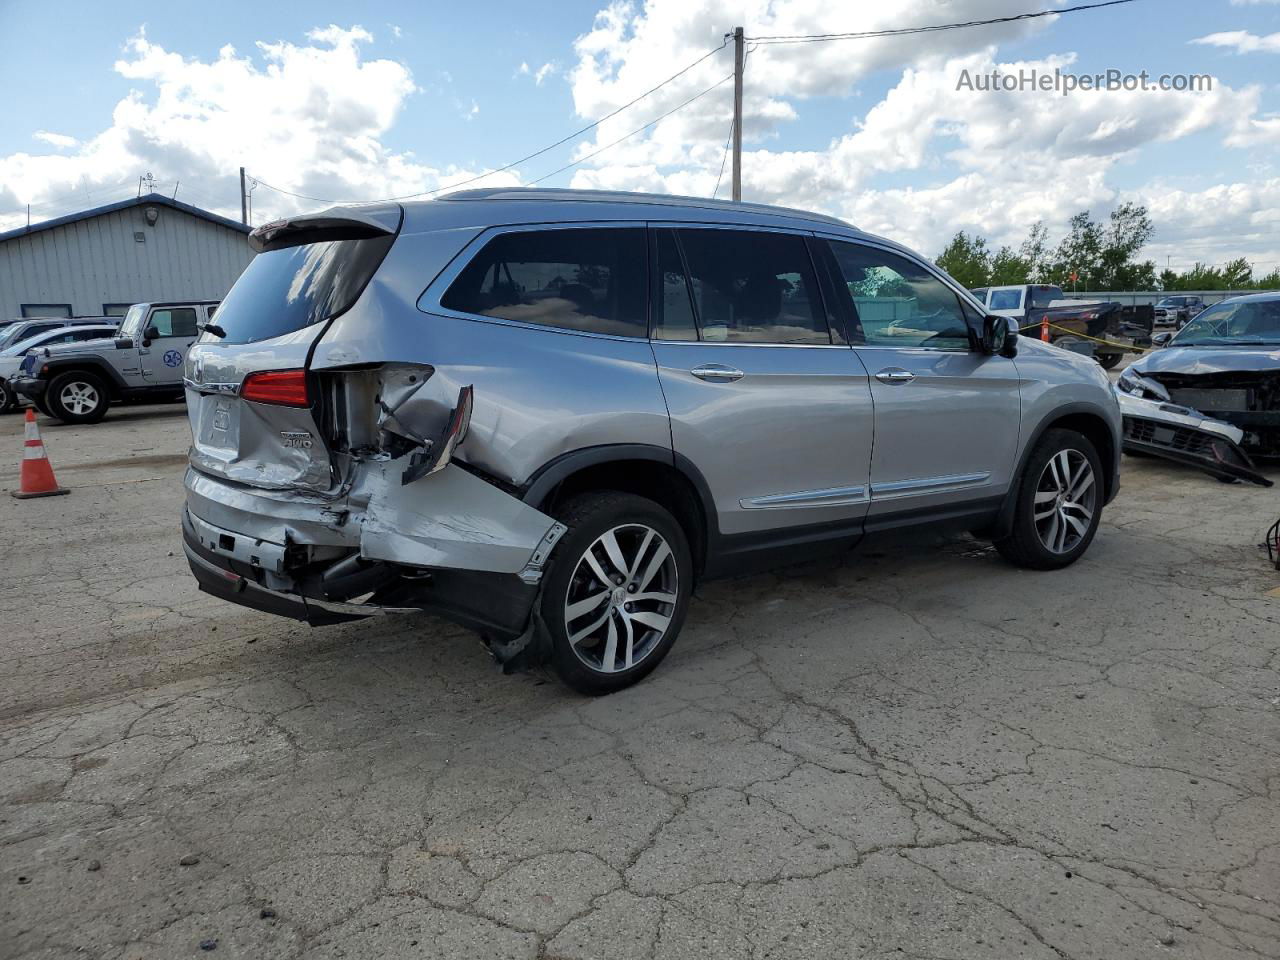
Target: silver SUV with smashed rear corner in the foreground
(547, 415)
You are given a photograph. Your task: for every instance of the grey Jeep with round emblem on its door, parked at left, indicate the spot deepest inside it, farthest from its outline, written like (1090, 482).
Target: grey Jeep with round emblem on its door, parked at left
(77, 383)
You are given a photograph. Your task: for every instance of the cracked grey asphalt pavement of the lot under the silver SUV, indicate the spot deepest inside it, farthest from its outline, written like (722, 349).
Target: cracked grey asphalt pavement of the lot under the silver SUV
(917, 753)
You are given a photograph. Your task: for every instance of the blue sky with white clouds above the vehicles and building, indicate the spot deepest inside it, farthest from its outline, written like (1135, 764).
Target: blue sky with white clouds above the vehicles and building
(365, 102)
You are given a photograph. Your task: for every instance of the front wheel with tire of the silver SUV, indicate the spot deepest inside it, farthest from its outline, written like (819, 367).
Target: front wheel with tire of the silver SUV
(1059, 504)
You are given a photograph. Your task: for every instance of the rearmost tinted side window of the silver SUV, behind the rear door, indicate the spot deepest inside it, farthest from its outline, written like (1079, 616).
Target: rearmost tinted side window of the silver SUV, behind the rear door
(580, 280)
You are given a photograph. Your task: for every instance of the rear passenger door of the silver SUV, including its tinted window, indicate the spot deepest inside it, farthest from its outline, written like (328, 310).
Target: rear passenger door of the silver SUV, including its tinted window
(765, 394)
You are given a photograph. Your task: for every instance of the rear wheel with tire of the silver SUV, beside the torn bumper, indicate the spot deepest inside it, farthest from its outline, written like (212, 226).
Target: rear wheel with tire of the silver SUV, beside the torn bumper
(618, 591)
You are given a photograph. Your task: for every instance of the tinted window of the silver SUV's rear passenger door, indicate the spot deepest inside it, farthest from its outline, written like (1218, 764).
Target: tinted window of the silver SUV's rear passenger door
(755, 287)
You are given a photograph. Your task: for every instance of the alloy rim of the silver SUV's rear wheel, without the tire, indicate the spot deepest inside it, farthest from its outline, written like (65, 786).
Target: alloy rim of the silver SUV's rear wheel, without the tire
(621, 598)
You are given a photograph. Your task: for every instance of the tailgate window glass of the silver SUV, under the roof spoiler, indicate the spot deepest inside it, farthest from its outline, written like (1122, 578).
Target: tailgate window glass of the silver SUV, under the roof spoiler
(284, 291)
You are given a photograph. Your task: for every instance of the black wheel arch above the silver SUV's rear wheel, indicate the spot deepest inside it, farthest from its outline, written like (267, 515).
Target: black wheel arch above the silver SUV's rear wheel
(653, 473)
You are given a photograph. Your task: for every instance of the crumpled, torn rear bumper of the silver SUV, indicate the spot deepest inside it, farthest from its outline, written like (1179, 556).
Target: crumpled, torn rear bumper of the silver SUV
(449, 543)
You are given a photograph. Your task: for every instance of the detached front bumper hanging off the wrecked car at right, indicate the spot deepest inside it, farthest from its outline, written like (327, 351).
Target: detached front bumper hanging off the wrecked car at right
(1186, 436)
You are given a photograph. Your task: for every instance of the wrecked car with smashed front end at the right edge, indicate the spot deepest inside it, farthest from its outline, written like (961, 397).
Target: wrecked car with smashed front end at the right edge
(1212, 397)
